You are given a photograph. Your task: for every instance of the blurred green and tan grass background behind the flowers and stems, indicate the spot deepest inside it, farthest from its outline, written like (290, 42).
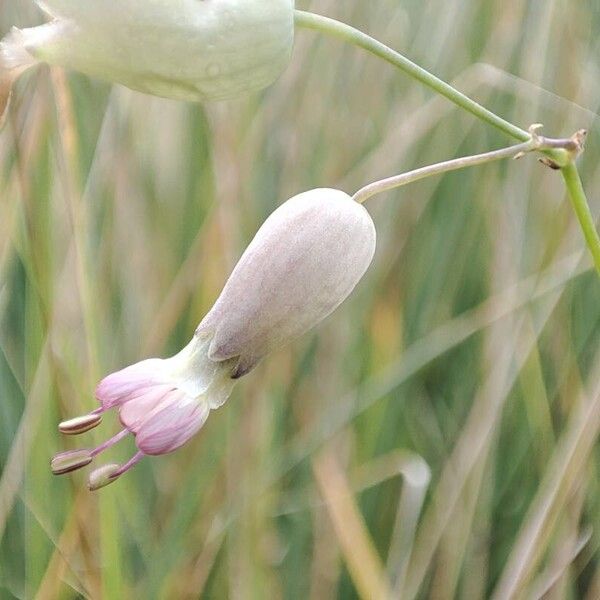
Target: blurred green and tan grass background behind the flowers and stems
(435, 438)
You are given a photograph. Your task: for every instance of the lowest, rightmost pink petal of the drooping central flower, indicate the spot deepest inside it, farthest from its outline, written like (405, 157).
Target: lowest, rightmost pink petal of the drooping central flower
(171, 426)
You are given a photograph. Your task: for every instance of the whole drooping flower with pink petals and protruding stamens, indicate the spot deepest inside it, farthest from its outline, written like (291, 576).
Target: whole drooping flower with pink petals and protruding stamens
(302, 264)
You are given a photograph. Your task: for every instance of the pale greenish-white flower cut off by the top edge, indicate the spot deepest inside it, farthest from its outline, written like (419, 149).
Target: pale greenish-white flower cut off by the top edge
(182, 49)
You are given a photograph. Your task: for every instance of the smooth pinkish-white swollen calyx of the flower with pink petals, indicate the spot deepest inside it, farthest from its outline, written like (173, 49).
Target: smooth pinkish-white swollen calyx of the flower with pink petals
(302, 264)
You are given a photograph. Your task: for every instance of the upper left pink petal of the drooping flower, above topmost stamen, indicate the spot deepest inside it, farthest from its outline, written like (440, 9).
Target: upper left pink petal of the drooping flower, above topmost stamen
(131, 382)
